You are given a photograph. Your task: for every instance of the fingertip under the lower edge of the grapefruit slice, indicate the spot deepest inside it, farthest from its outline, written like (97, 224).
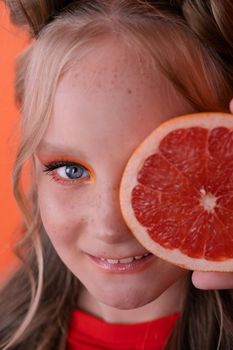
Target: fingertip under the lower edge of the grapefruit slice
(212, 280)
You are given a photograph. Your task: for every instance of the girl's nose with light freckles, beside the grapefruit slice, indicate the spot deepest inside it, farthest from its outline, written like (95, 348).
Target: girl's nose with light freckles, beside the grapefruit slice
(106, 219)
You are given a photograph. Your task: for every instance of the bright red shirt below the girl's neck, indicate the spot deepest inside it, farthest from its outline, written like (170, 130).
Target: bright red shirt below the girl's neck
(87, 332)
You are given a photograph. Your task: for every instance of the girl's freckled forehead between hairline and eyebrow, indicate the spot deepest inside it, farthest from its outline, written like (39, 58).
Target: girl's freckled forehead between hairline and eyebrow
(105, 95)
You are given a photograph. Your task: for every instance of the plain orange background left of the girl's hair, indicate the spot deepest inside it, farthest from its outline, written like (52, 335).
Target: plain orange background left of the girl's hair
(12, 41)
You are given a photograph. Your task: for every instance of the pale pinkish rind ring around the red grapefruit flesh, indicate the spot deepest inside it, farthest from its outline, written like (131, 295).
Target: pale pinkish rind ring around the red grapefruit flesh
(129, 182)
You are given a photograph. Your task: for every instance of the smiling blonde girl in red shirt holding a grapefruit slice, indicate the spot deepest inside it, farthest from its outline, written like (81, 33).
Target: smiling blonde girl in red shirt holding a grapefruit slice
(97, 79)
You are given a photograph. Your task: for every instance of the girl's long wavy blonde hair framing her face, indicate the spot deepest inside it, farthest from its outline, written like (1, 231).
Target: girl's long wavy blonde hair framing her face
(168, 37)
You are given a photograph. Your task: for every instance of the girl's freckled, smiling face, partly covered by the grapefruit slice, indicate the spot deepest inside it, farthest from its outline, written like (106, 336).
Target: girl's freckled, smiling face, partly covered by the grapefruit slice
(105, 105)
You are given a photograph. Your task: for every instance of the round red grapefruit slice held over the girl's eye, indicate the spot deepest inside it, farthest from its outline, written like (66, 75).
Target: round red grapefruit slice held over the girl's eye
(176, 193)
